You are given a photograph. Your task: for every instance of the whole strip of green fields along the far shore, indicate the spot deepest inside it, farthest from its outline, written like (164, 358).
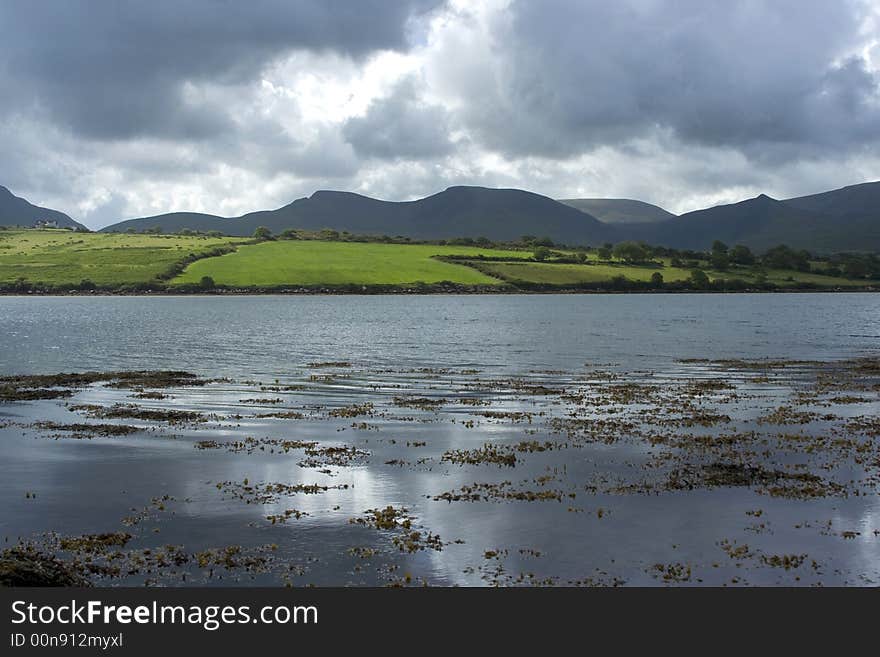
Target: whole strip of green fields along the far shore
(60, 259)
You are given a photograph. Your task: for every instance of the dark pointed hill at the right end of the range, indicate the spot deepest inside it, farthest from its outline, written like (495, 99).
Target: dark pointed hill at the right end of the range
(846, 219)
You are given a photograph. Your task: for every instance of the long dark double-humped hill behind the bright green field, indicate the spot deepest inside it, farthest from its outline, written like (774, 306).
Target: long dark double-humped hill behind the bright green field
(499, 214)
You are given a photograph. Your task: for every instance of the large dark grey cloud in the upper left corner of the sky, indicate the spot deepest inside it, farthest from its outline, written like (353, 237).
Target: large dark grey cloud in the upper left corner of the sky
(117, 68)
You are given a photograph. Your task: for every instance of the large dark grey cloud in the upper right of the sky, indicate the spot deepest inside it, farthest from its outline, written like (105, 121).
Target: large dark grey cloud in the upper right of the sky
(570, 76)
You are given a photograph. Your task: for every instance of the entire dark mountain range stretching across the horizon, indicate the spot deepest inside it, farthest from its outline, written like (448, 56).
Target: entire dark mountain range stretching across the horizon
(846, 219)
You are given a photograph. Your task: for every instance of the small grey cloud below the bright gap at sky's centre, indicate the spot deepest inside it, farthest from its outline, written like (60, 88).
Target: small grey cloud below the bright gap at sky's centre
(401, 126)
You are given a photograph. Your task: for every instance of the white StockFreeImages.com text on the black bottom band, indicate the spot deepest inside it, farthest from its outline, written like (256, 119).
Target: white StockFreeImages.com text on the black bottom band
(209, 617)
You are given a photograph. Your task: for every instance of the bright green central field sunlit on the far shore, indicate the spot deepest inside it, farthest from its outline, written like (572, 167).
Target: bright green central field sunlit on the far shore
(340, 263)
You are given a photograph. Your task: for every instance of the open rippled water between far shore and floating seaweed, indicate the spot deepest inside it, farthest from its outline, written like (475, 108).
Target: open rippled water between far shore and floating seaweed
(270, 335)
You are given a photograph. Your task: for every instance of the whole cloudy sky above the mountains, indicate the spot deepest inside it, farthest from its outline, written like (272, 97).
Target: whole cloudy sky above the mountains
(113, 109)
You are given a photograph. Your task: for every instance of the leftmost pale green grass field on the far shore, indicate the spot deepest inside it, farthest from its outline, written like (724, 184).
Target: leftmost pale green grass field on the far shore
(62, 257)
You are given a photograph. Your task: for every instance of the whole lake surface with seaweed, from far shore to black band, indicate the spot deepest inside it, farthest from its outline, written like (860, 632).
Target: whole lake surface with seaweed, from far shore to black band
(582, 390)
